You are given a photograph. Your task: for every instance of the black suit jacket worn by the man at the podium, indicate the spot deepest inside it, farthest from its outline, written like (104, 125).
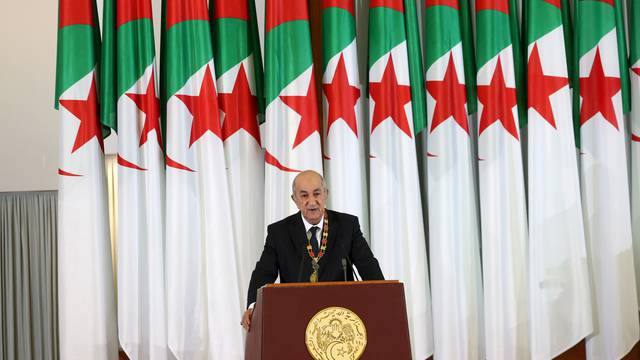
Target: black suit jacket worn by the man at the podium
(286, 249)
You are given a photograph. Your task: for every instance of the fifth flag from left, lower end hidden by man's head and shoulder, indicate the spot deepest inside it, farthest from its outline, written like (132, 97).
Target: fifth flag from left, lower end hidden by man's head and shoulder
(291, 131)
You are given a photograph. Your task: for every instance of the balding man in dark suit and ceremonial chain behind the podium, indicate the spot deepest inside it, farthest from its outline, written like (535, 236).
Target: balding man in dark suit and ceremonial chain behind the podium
(300, 248)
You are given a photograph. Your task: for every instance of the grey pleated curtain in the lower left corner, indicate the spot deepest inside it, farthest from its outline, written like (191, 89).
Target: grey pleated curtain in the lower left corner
(28, 275)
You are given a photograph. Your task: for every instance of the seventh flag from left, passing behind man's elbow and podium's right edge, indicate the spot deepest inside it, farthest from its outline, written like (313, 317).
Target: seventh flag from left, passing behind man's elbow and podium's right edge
(397, 229)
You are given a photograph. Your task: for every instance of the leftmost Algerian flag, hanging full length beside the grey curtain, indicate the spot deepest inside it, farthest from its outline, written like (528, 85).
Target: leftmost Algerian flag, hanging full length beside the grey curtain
(86, 302)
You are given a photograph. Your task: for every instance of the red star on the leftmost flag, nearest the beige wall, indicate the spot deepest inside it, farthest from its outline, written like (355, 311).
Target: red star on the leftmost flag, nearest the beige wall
(87, 112)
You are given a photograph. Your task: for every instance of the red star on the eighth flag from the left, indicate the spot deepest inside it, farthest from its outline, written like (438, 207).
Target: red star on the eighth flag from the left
(450, 96)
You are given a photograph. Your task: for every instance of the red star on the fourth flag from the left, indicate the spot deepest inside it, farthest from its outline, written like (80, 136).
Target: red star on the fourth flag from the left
(240, 108)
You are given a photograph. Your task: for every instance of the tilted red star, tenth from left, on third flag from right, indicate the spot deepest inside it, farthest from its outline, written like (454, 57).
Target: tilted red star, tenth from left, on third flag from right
(542, 86)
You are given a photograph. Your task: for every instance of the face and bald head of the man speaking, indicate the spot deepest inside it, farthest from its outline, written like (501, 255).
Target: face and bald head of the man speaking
(310, 197)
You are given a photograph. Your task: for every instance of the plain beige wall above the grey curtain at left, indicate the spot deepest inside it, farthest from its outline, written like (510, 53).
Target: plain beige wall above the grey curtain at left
(28, 122)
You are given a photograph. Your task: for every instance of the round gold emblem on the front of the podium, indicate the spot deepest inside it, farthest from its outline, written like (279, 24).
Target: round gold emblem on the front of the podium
(336, 333)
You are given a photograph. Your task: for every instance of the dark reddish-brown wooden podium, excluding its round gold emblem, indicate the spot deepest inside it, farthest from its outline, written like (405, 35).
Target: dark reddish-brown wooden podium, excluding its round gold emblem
(283, 311)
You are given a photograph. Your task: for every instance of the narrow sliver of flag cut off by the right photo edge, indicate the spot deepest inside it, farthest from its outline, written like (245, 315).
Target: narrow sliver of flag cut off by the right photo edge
(634, 61)
